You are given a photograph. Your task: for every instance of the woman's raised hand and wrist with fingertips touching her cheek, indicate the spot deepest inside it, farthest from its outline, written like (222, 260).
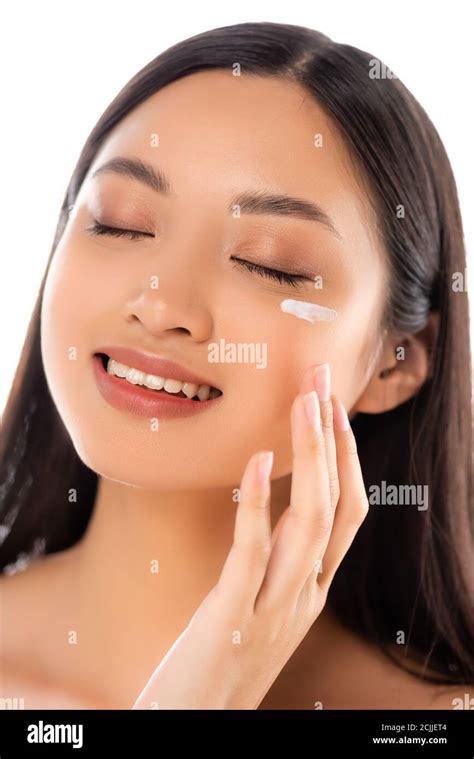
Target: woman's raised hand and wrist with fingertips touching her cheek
(271, 589)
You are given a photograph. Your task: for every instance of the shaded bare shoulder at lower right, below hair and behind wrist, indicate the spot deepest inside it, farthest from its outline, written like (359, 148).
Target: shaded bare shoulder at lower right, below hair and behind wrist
(336, 669)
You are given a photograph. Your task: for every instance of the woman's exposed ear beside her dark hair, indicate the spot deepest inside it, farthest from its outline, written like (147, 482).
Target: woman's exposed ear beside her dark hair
(402, 368)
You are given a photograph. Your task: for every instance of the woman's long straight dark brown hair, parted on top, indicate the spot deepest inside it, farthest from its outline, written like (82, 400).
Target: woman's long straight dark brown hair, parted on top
(408, 570)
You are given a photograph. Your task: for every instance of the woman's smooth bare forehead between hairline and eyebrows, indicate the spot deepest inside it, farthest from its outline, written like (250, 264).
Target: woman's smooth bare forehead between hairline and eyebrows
(218, 134)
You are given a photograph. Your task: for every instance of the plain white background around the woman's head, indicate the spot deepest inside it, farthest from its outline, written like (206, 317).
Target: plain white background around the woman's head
(62, 64)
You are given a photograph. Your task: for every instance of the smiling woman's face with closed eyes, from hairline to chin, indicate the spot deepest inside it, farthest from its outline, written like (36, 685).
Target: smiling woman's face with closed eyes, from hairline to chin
(215, 136)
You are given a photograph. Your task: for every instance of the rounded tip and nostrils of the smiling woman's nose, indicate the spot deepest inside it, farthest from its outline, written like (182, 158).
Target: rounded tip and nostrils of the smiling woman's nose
(171, 307)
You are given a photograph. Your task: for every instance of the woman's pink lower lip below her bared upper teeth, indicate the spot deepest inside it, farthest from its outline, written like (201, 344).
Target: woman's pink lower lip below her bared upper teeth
(138, 400)
